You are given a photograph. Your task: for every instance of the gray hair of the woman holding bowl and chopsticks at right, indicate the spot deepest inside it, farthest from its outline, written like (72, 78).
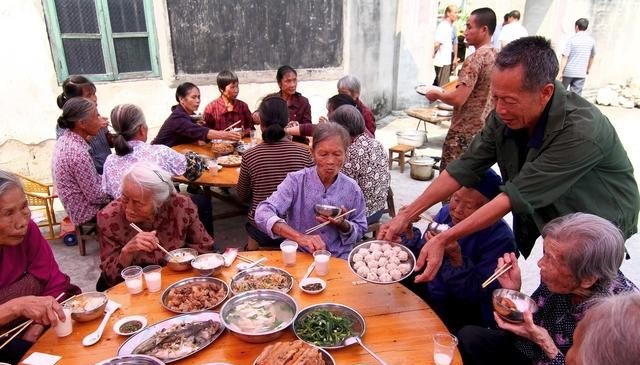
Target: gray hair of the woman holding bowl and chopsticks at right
(597, 246)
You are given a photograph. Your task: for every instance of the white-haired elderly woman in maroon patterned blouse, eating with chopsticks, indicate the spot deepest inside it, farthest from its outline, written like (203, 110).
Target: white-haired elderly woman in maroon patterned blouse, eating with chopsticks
(150, 201)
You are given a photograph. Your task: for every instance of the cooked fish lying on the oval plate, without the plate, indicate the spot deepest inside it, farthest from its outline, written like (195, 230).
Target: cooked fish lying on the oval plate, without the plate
(178, 340)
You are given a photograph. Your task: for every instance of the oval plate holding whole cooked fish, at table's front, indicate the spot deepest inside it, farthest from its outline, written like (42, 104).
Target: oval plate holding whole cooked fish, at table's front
(175, 338)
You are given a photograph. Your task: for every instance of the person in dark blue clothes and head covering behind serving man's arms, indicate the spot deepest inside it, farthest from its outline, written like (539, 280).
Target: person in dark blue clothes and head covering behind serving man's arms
(456, 294)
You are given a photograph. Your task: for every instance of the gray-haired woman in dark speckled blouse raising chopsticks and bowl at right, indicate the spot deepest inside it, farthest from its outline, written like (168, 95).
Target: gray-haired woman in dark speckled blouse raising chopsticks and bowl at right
(582, 254)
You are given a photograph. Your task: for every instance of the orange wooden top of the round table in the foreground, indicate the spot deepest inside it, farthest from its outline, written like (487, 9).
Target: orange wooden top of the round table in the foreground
(399, 324)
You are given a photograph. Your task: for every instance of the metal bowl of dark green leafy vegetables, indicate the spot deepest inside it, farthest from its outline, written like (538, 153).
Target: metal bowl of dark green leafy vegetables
(327, 325)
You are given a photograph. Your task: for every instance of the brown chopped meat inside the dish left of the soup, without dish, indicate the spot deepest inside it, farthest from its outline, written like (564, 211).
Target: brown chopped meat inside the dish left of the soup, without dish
(195, 296)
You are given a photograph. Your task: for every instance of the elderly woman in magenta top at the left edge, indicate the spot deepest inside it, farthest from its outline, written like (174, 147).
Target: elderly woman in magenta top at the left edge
(30, 278)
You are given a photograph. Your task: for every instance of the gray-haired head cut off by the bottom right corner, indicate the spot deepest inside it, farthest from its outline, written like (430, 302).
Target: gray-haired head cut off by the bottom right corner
(612, 323)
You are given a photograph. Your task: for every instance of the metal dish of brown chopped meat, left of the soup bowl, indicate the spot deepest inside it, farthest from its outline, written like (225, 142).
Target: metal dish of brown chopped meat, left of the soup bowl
(194, 295)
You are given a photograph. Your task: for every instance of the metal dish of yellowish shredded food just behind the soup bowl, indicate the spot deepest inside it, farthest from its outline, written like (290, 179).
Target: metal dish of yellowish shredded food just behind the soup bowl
(261, 278)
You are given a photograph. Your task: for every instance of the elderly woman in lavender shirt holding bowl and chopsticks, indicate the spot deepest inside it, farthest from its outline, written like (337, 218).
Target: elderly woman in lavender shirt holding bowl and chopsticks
(289, 210)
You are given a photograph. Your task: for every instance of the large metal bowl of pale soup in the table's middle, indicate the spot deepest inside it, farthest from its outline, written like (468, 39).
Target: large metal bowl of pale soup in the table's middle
(259, 316)
